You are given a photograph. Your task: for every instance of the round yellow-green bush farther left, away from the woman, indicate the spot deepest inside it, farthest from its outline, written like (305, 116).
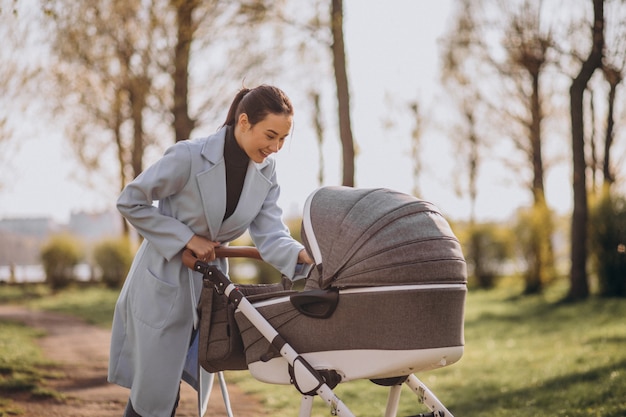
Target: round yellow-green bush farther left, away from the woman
(59, 257)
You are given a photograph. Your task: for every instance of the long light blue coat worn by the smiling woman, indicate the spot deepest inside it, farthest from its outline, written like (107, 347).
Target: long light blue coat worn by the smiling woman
(154, 314)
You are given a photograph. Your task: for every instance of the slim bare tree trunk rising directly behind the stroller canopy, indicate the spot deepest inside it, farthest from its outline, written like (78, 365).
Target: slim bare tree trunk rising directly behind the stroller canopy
(343, 93)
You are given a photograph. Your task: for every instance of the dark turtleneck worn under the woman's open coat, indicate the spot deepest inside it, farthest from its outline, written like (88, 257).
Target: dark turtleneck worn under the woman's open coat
(236, 161)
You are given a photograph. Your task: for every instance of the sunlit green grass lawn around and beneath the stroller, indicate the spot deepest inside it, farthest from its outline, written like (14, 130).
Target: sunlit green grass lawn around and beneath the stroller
(524, 356)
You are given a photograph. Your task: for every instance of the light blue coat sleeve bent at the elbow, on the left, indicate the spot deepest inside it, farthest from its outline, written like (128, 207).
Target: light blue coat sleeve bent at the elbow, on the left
(163, 179)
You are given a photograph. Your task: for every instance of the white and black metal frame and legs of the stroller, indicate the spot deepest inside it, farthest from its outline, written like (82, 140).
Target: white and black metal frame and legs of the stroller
(305, 378)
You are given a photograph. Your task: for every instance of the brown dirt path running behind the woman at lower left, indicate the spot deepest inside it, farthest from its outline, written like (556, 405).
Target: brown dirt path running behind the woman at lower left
(82, 351)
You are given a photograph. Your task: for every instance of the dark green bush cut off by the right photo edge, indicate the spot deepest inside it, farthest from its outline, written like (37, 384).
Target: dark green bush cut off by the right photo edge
(607, 235)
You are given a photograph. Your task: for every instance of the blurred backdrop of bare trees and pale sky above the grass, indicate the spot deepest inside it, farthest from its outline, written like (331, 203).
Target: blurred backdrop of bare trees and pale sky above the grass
(508, 115)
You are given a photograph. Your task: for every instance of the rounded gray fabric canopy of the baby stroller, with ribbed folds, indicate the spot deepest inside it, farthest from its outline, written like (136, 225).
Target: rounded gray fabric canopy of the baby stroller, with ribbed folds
(376, 237)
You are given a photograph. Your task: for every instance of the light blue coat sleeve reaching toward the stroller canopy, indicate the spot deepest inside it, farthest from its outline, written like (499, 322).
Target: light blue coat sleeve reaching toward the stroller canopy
(271, 236)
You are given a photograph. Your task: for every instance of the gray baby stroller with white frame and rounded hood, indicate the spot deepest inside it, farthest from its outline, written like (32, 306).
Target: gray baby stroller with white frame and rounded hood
(384, 300)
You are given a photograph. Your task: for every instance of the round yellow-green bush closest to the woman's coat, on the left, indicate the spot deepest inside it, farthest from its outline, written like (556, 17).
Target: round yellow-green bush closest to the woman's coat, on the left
(113, 257)
